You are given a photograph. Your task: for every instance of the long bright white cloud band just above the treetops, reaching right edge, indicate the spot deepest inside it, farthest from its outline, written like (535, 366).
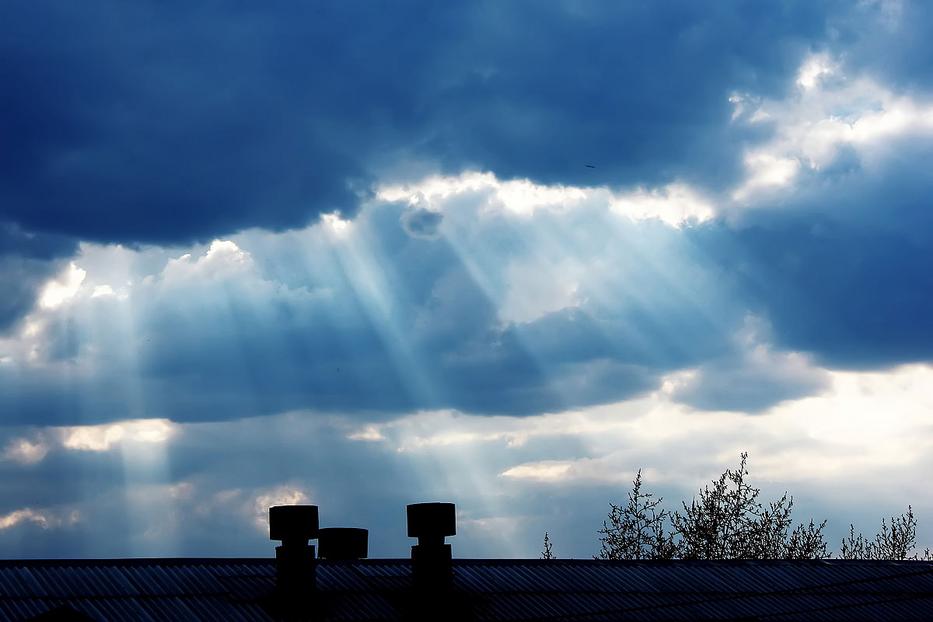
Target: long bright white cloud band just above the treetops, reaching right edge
(863, 429)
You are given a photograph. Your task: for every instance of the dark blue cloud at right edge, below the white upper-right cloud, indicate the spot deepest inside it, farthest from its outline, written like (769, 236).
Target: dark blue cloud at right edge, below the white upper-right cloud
(841, 268)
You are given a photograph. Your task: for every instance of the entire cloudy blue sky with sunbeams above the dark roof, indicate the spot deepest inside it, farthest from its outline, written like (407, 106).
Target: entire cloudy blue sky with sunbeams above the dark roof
(504, 254)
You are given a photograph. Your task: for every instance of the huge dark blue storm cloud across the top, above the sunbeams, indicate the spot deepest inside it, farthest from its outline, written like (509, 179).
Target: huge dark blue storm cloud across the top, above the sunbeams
(167, 122)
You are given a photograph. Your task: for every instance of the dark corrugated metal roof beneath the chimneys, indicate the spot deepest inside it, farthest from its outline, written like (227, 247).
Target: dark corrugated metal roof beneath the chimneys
(243, 589)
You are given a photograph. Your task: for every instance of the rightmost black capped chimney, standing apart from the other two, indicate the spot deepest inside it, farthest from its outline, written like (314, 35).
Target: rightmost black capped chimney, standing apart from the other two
(431, 523)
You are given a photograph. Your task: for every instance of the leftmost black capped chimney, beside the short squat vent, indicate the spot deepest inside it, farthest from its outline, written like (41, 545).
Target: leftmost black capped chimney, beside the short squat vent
(294, 525)
